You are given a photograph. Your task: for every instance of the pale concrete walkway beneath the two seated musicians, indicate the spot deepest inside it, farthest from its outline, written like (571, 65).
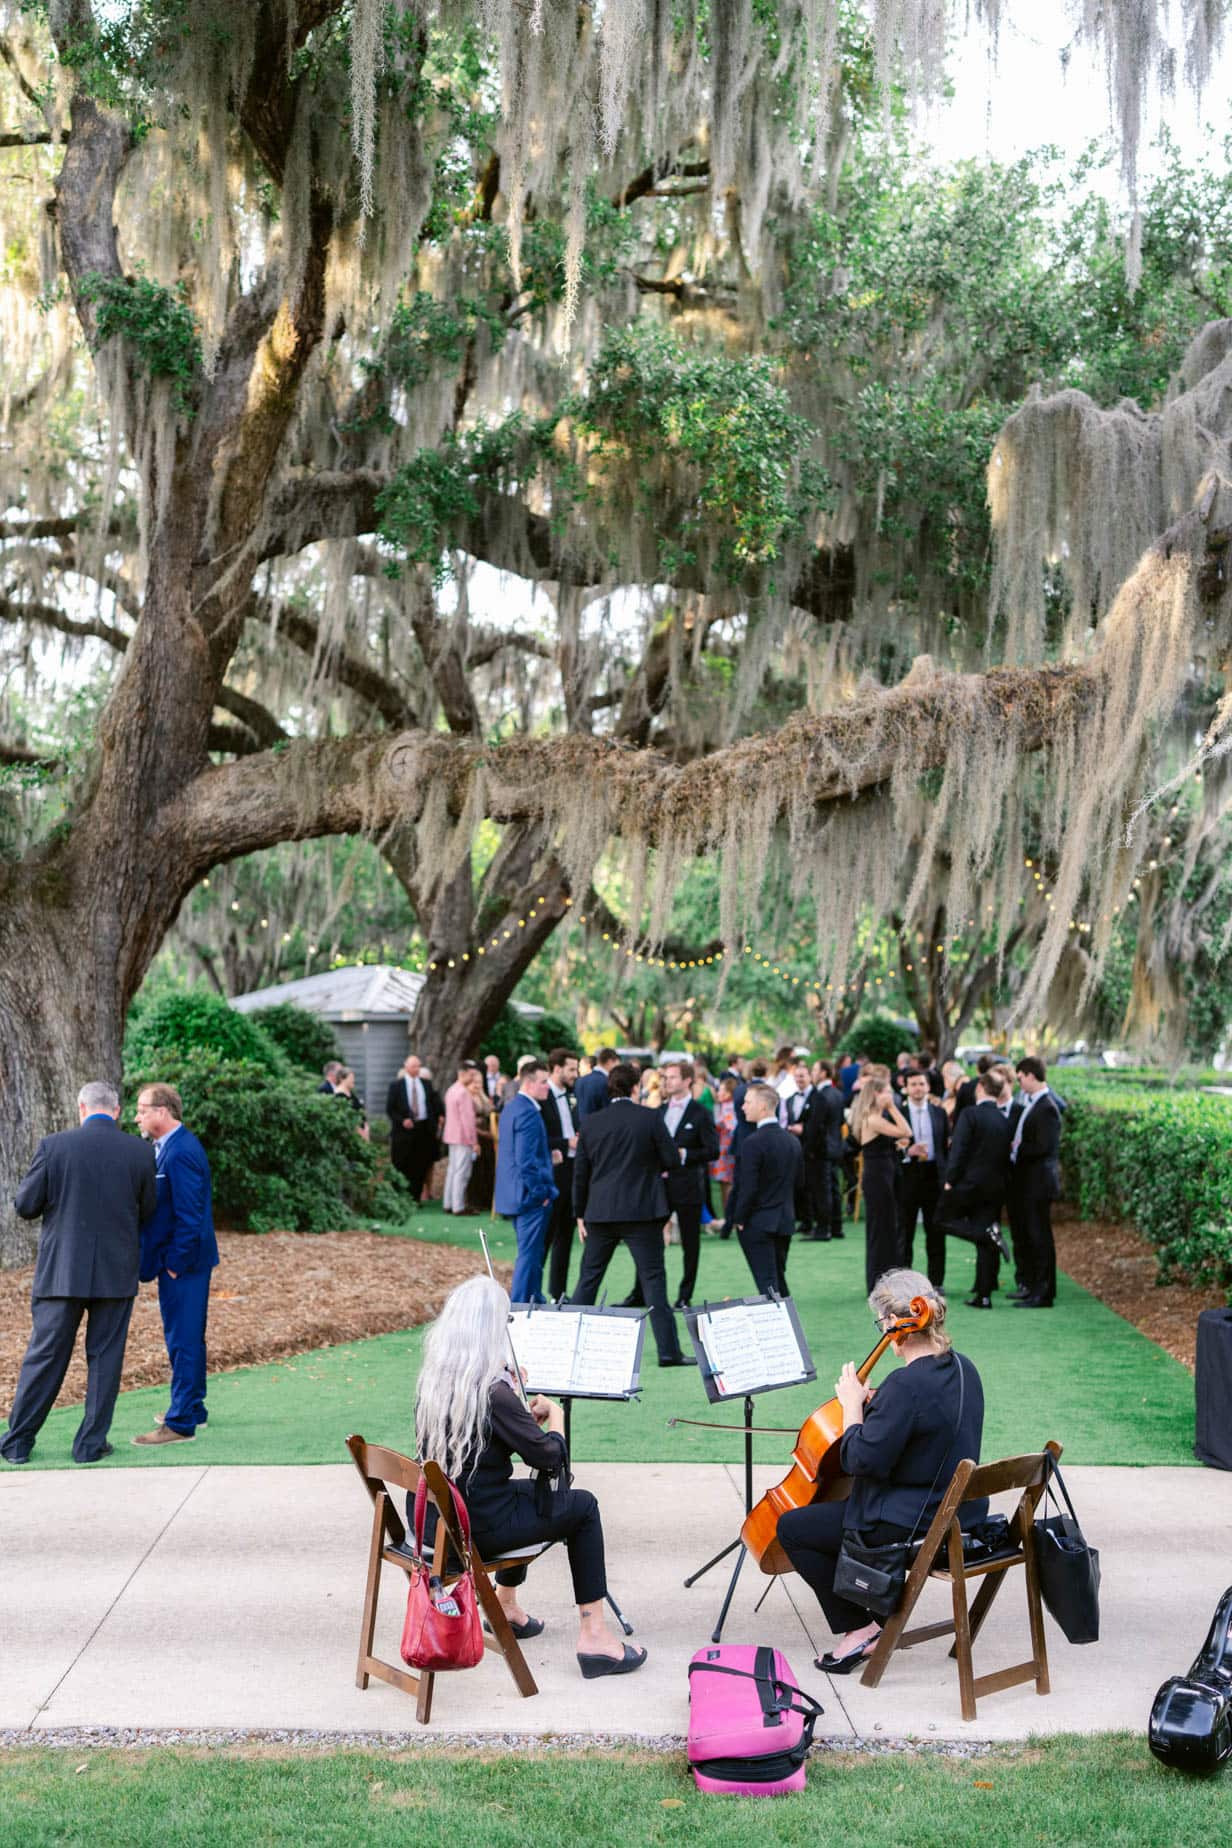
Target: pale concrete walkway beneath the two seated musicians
(219, 1598)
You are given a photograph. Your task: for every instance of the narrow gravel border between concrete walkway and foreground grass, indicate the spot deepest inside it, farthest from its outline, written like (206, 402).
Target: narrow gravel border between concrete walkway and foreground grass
(300, 1740)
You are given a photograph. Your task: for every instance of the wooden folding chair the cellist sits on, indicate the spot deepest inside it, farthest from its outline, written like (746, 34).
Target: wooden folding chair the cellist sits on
(945, 1544)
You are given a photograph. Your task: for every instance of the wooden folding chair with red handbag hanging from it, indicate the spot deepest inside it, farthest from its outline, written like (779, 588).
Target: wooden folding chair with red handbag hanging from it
(389, 1470)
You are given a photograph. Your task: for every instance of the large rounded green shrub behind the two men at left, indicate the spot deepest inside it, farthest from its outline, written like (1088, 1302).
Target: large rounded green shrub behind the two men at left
(282, 1154)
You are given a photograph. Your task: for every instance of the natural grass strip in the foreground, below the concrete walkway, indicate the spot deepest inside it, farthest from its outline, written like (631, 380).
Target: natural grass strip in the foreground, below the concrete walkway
(1067, 1792)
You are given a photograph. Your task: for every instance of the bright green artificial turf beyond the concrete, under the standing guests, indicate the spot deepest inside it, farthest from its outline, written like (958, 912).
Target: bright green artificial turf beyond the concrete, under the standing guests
(1078, 1374)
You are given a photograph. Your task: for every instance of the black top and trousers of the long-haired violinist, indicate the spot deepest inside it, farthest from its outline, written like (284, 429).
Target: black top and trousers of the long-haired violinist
(511, 1513)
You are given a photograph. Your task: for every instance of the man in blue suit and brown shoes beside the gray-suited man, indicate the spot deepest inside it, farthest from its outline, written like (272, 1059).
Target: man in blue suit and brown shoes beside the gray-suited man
(178, 1246)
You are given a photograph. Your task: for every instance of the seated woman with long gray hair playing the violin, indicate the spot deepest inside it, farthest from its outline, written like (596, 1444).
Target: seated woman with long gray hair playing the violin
(472, 1422)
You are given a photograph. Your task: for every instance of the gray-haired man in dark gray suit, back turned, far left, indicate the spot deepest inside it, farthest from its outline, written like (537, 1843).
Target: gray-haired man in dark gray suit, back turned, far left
(93, 1189)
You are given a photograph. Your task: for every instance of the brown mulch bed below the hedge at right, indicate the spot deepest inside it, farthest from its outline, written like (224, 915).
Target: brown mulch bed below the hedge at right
(1120, 1267)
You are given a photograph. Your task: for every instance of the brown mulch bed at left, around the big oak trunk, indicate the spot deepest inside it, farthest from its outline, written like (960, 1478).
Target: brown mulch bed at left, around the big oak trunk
(274, 1296)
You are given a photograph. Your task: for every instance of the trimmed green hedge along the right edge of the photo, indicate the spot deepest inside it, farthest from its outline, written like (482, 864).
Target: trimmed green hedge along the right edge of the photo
(1159, 1158)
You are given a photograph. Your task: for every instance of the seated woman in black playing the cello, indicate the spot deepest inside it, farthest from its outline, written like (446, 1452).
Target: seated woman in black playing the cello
(900, 1446)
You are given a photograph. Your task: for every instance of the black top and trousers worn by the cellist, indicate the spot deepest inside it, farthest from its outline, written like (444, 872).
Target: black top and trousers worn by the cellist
(900, 1463)
